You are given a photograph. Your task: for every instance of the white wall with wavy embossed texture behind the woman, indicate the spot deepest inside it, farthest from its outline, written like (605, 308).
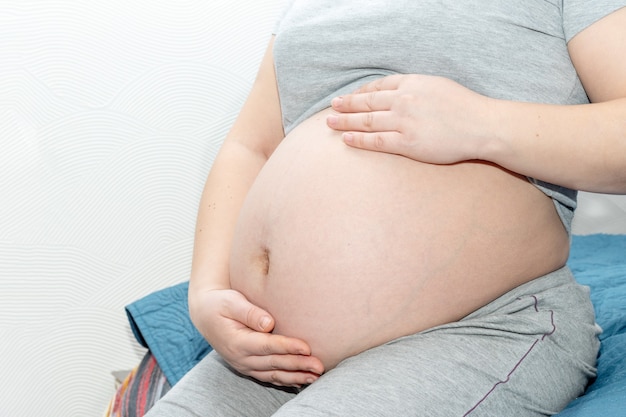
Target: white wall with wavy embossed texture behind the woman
(110, 115)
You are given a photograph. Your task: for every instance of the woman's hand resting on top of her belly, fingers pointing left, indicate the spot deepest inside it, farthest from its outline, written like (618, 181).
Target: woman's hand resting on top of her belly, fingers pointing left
(425, 118)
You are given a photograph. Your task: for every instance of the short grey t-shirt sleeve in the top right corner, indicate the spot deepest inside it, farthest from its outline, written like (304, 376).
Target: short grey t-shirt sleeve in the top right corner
(580, 14)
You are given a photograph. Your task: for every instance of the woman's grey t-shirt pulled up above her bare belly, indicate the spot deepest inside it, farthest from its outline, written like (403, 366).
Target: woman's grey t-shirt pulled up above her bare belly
(515, 50)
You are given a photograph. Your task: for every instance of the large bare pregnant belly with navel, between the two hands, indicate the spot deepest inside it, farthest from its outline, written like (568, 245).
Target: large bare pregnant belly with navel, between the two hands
(348, 249)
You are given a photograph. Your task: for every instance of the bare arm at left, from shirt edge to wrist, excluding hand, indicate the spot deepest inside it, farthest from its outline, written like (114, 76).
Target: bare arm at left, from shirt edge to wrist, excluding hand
(252, 139)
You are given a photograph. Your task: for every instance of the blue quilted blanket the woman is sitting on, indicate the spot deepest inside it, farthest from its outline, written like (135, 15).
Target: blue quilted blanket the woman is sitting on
(160, 322)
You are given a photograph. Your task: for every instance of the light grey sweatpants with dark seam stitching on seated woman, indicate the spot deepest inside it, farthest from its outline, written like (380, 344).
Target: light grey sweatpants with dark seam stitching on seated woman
(528, 353)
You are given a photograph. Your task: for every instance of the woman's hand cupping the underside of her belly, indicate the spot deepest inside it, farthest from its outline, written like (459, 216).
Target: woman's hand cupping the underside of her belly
(241, 333)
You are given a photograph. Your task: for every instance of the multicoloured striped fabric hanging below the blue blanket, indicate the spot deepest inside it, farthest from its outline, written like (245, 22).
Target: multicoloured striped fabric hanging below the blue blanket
(139, 391)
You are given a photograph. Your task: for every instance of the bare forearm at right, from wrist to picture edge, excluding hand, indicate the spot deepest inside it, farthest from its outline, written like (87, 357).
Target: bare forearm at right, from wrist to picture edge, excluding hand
(581, 147)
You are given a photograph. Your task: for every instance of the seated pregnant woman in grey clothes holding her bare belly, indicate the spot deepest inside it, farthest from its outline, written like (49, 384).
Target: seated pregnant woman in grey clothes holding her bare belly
(385, 229)
